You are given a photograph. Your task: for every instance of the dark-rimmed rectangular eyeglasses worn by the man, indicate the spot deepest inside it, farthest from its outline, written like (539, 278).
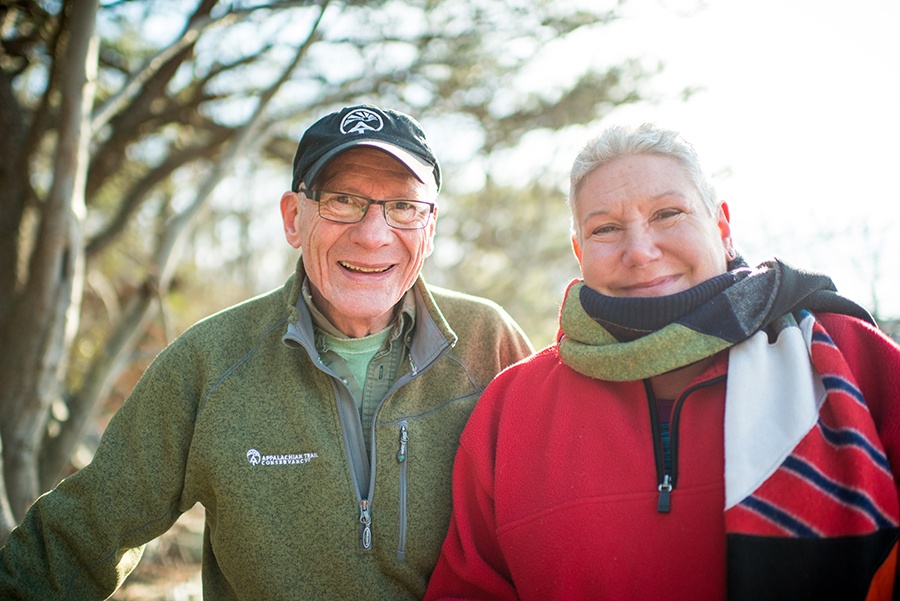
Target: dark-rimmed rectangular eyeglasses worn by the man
(350, 208)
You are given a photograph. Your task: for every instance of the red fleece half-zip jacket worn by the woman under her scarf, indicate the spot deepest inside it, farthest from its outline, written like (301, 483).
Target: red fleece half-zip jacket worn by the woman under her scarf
(555, 486)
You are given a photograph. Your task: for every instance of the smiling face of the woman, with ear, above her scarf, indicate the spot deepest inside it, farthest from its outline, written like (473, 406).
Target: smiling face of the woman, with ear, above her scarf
(643, 230)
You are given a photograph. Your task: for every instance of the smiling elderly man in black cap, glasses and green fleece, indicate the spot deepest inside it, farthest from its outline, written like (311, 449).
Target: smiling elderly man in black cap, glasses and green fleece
(317, 424)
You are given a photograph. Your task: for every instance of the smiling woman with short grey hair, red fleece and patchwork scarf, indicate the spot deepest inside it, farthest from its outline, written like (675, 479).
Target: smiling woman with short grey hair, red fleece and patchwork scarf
(701, 430)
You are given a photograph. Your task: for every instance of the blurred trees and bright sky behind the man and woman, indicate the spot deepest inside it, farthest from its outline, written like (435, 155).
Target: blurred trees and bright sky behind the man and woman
(133, 207)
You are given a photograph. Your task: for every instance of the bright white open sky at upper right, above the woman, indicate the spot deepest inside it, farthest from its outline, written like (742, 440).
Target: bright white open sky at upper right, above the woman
(797, 115)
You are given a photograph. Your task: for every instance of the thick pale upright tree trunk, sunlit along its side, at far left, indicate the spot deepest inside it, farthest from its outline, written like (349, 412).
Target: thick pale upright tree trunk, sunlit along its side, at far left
(45, 316)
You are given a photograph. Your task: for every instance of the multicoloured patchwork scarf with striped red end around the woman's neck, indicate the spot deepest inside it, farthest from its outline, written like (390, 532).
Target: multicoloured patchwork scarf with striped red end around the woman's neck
(811, 507)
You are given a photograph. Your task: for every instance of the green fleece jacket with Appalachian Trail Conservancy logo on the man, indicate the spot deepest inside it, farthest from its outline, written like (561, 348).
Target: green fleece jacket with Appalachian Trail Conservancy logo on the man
(240, 415)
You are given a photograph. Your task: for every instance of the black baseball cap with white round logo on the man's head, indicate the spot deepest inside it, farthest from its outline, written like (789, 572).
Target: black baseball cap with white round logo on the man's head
(365, 125)
